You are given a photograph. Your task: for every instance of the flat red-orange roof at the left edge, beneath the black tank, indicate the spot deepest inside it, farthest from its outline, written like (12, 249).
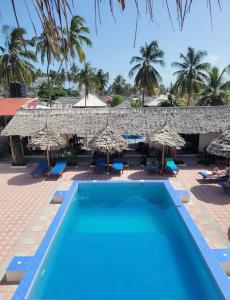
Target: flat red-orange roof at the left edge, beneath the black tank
(9, 106)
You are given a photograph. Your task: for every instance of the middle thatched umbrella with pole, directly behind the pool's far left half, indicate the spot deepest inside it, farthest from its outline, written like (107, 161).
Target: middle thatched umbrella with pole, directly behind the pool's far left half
(108, 141)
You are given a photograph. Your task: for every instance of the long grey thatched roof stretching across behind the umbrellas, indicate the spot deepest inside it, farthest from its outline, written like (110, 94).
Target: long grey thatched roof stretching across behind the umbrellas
(124, 120)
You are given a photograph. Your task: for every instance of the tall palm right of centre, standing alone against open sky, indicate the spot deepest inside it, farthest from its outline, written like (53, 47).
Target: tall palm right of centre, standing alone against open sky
(146, 74)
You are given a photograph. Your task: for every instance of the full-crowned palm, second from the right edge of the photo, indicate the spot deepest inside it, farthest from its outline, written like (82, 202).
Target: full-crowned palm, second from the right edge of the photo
(191, 72)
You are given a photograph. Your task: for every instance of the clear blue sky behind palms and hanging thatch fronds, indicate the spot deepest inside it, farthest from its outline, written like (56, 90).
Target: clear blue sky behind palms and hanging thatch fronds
(113, 43)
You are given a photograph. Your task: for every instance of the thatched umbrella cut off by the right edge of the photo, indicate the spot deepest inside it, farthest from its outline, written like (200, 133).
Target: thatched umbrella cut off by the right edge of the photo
(221, 145)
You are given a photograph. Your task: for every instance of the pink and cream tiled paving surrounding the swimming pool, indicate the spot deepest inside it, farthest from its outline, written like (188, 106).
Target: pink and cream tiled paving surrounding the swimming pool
(25, 212)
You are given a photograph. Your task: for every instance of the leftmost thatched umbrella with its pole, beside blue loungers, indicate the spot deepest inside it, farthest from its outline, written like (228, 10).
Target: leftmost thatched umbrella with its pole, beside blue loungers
(46, 139)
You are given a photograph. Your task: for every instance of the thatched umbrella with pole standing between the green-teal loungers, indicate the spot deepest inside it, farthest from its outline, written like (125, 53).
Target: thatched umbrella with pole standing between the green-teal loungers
(166, 137)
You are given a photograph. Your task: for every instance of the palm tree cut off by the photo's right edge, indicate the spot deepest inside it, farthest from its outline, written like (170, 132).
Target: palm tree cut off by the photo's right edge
(216, 90)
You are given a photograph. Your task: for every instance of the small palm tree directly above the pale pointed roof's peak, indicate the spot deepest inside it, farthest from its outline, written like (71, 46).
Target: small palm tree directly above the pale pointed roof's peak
(87, 78)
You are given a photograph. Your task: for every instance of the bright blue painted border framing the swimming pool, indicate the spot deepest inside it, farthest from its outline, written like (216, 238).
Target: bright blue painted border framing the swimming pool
(218, 275)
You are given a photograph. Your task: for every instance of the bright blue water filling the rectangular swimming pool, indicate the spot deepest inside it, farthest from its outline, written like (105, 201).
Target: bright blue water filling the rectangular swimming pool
(123, 241)
